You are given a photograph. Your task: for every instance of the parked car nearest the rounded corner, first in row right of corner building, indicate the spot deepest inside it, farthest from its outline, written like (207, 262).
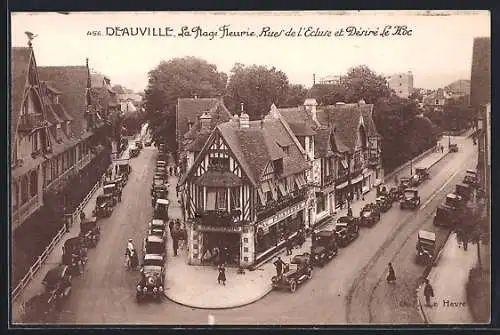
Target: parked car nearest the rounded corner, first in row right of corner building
(298, 271)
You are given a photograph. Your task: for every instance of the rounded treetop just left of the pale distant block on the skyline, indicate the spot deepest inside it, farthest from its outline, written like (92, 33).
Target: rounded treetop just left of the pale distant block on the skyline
(363, 83)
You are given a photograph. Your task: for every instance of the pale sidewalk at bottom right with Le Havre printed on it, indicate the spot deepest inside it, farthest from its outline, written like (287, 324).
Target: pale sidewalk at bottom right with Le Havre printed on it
(449, 279)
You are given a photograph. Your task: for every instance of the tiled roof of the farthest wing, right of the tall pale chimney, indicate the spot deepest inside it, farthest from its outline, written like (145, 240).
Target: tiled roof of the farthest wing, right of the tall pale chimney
(344, 119)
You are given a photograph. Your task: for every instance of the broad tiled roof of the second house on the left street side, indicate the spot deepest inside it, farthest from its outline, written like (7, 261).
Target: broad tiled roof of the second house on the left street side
(72, 82)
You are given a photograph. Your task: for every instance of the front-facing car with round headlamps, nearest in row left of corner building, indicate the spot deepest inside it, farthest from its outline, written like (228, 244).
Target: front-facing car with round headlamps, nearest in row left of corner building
(152, 274)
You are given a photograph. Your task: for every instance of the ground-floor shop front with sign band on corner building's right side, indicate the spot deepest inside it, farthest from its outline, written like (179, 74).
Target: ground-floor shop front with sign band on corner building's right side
(272, 232)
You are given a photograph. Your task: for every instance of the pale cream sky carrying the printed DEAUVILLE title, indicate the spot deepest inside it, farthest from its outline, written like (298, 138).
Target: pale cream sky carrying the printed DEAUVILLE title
(436, 46)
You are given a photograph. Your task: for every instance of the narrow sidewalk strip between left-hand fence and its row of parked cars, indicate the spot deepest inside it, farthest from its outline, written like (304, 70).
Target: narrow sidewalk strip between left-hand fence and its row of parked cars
(35, 286)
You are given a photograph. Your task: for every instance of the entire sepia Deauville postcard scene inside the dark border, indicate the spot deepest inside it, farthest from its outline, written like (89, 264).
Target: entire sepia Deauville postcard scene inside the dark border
(250, 168)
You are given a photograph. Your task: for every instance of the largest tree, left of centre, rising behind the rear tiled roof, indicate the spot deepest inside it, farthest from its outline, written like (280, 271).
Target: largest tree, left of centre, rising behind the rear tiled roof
(174, 79)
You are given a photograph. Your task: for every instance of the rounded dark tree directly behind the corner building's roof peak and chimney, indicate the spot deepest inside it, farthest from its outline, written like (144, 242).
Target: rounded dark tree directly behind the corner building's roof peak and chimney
(257, 87)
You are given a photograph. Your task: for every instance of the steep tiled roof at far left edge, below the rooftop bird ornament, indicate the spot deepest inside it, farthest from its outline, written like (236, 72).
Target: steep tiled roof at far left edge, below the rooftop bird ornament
(20, 59)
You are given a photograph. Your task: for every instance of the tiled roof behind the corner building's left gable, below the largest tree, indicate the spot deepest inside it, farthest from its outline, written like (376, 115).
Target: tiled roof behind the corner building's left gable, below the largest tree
(190, 109)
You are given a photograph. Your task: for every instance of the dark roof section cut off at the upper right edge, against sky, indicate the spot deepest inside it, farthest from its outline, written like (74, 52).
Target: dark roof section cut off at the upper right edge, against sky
(481, 72)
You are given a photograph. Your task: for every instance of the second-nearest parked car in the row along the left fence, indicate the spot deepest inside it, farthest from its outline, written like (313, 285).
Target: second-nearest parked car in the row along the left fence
(57, 284)
